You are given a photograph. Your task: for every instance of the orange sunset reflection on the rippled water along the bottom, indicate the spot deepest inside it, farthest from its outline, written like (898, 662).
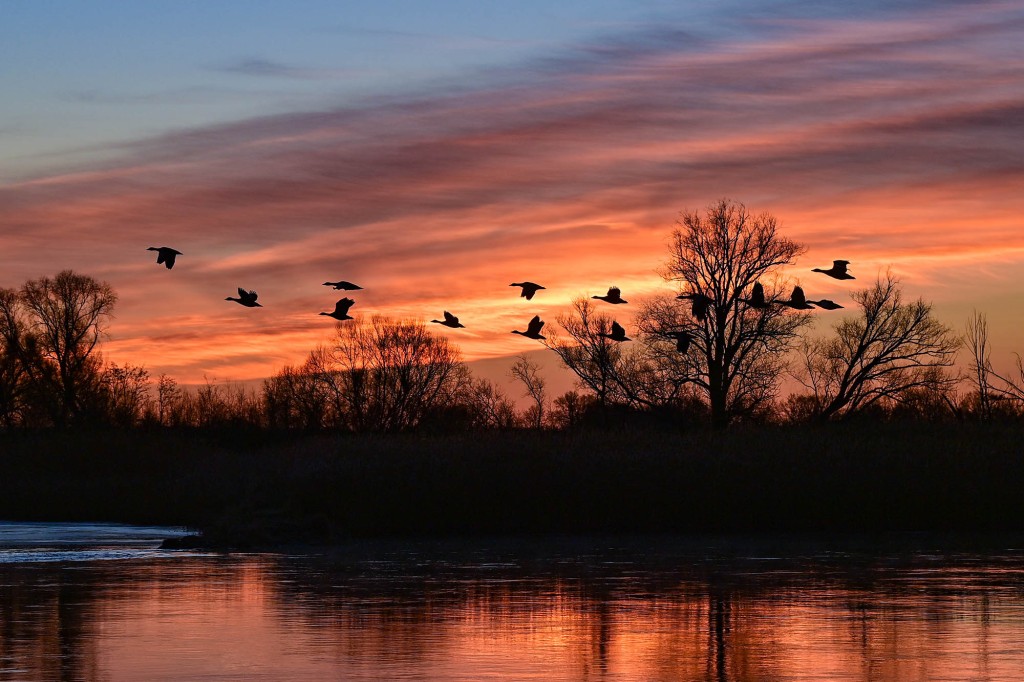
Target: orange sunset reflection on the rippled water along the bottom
(274, 618)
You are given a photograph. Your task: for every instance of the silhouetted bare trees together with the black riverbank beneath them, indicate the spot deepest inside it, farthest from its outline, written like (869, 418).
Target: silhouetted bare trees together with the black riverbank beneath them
(383, 431)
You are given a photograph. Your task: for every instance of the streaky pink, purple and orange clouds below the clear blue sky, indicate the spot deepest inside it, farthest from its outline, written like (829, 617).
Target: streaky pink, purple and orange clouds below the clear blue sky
(895, 139)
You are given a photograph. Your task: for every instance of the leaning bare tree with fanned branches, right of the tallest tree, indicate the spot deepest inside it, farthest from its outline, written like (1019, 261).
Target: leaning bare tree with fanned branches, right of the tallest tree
(888, 352)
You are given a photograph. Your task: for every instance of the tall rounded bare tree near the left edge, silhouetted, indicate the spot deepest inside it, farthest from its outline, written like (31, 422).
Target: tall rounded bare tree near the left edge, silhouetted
(67, 318)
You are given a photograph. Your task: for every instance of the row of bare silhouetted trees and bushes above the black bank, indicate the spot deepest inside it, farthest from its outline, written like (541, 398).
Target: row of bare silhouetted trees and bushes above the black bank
(714, 352)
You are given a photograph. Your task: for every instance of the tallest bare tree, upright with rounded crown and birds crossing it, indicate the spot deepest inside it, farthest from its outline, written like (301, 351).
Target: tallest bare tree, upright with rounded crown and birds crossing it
(739, 352)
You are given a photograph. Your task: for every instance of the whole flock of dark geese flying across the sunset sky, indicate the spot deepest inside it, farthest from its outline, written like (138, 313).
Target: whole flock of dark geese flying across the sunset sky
(701, 304)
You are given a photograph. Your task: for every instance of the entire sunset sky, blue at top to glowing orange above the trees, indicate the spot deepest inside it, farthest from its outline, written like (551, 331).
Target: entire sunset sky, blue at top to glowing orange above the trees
(434, 153)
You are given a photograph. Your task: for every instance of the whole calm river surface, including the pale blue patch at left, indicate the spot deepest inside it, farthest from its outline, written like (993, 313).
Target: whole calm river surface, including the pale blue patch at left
(100, 603)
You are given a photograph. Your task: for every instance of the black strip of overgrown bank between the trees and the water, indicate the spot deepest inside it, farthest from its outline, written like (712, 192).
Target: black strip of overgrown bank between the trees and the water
(247, 489)
